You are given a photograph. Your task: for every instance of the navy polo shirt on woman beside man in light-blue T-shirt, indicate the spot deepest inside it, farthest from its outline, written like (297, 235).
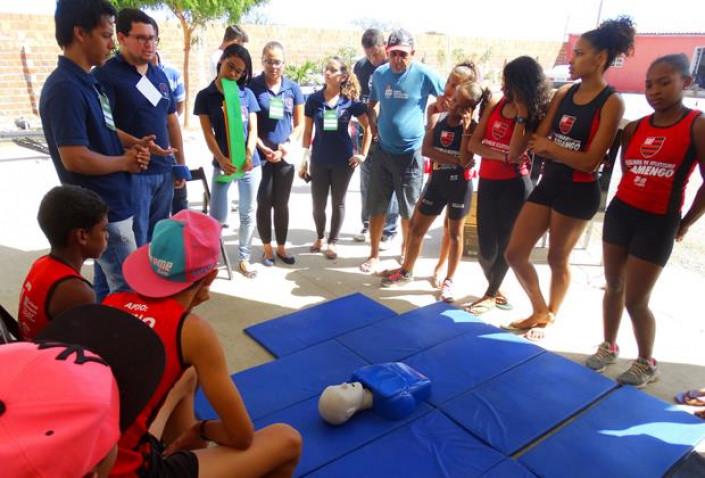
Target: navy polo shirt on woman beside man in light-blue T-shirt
(332, 147)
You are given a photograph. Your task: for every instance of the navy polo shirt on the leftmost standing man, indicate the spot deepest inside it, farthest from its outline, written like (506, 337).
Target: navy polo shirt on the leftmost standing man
(71, 115)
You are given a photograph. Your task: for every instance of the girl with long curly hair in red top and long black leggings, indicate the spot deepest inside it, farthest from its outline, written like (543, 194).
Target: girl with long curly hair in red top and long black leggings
(501, 138)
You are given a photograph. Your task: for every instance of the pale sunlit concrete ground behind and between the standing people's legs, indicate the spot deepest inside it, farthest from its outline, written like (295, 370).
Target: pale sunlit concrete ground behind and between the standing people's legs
(236, 304)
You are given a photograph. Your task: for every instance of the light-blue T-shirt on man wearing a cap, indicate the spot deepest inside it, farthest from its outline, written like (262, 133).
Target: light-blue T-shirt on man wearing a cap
(402, 101)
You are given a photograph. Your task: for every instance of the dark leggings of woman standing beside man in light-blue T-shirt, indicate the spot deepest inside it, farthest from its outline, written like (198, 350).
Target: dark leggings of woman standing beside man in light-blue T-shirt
(334, 178)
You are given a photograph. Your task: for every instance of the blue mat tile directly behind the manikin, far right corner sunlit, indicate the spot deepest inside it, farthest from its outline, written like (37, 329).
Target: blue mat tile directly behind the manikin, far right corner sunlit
(395, 339)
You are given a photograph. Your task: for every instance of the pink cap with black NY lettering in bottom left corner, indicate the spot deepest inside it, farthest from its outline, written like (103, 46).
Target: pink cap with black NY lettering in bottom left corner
(59, 410)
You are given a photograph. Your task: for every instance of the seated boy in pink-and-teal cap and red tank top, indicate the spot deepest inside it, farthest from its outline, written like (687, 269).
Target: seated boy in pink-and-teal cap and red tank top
(169, 277)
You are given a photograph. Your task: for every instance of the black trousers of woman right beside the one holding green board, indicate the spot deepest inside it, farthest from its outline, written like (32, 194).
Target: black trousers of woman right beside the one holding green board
(274, 192)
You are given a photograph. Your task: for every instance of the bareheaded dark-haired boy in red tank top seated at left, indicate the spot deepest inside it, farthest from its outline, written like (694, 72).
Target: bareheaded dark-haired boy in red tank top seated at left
(74, 220)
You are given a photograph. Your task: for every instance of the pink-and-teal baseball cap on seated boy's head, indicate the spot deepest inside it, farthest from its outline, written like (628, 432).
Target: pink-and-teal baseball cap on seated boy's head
(184, 249)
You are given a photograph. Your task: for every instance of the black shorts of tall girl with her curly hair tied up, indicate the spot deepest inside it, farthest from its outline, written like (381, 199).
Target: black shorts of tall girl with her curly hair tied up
(563, 195)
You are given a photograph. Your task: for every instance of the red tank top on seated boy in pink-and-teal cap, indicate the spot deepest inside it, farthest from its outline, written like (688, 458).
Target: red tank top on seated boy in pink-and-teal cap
(166, 317)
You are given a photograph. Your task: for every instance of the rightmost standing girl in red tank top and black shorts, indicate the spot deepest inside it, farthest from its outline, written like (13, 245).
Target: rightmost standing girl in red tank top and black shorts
(659, 153)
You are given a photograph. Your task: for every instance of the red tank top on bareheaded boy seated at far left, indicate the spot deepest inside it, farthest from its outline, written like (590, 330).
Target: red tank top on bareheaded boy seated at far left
(46, 273)
